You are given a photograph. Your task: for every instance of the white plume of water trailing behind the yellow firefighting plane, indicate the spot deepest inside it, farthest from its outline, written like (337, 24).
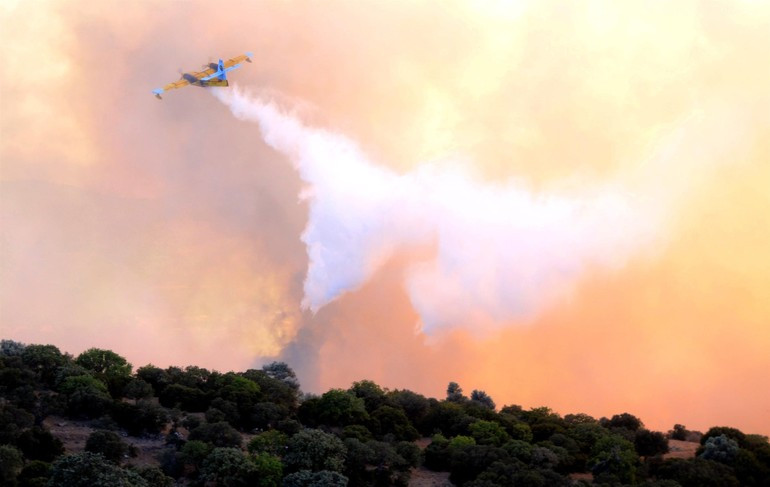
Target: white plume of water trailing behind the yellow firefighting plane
(502, 252)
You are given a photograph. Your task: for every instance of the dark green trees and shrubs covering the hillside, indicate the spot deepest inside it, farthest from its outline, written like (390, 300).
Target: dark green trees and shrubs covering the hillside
(255, 428)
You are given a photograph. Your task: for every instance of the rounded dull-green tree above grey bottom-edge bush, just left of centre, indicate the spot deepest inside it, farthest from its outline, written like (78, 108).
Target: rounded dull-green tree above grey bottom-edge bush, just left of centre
(314, 450)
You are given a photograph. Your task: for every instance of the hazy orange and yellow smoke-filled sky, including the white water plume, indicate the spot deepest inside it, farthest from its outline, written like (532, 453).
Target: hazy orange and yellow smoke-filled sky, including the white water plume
(563, 204)
